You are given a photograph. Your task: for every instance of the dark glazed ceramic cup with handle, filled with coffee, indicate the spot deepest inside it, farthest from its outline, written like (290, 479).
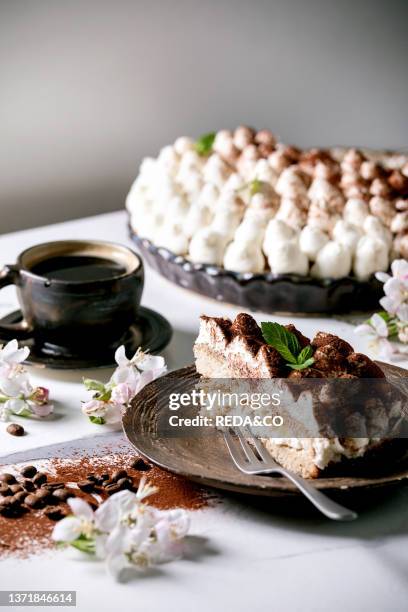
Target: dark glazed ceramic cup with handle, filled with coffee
(75, 315)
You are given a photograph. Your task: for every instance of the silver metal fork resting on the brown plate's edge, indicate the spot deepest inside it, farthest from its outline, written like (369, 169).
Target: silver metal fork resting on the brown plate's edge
(249, 462)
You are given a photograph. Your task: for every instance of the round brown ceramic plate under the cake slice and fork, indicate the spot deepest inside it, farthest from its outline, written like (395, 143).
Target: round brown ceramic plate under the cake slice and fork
(205, 459)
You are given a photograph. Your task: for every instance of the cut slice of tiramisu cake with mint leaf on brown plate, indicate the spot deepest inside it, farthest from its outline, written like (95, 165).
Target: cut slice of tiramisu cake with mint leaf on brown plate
(239, 349)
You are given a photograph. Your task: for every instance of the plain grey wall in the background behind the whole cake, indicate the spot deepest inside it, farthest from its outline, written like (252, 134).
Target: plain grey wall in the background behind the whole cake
(90, 87)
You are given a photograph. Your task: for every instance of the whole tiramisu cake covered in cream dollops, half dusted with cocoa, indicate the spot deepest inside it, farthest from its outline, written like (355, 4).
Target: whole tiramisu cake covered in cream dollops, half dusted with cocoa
(242, 200)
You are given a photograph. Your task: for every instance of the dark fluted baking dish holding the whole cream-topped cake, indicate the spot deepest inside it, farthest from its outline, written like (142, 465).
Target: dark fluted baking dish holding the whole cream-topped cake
(289, 293)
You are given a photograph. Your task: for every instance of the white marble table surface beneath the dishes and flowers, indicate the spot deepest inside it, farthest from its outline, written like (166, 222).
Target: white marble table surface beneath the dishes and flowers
(253, 555)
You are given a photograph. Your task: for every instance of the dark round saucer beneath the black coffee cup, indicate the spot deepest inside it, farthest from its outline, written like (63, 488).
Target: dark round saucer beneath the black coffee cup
(151, 331)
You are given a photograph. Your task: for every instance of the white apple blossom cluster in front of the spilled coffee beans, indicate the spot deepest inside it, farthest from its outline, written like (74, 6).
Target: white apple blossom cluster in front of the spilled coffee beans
(124, 531)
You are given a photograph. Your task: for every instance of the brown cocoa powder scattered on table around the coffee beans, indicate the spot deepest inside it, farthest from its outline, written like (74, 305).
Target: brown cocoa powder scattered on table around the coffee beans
(30, 533)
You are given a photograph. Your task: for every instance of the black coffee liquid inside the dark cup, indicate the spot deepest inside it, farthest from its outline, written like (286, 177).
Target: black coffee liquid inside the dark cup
(78, 268)
